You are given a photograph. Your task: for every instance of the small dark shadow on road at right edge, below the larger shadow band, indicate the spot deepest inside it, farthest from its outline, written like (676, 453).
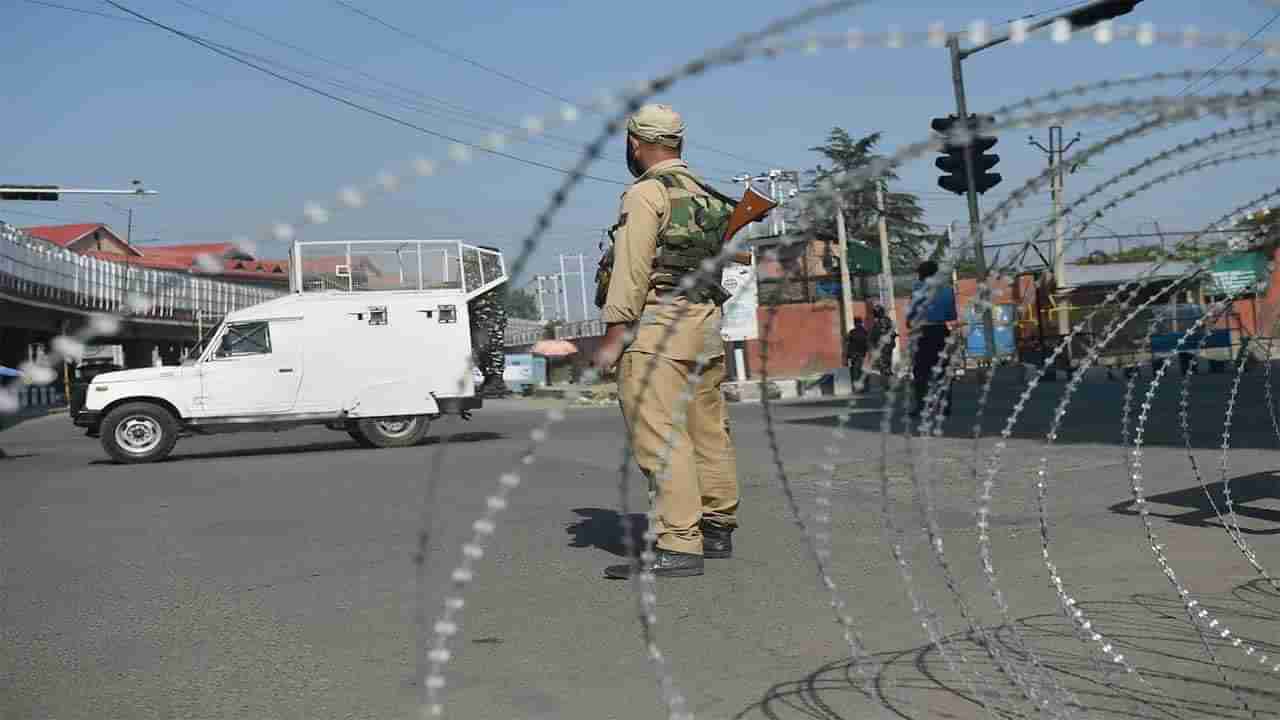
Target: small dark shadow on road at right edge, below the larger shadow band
(1200, 514)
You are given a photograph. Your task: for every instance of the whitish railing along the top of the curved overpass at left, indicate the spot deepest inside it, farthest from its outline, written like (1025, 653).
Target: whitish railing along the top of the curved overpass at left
(43, 272)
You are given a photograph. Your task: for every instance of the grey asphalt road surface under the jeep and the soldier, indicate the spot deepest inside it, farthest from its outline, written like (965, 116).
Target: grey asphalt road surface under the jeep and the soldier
(272, 576)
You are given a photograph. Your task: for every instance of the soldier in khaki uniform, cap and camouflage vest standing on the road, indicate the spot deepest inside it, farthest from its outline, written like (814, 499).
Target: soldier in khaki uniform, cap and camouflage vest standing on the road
(669, 225)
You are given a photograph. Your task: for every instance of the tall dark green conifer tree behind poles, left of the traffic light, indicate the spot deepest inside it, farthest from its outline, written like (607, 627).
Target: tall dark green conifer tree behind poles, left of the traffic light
(911, 240)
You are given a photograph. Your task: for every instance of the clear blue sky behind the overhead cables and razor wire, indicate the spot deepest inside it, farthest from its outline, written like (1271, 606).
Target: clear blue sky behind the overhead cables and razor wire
(95, 102)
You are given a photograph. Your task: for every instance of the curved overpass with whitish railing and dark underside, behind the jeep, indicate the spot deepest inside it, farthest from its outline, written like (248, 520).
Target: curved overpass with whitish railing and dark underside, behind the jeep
(47, 291)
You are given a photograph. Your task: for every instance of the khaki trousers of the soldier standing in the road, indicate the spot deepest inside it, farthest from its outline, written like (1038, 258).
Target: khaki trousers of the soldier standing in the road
(697, 477)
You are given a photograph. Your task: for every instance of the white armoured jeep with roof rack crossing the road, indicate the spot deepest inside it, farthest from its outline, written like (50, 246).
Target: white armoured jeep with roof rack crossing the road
(376, 364)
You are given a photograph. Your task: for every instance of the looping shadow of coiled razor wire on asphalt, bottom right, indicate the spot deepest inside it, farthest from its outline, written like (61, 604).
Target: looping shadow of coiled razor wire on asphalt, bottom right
(1177, 678)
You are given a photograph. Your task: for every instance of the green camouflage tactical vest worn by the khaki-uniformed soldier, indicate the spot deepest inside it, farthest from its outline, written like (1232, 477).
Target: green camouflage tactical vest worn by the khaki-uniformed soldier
(696, 233)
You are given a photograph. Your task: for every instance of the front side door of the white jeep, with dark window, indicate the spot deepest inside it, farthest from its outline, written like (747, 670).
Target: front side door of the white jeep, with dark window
(255, 368)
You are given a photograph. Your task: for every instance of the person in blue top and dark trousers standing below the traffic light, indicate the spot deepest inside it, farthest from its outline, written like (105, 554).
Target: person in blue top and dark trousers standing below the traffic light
(927, 321)
